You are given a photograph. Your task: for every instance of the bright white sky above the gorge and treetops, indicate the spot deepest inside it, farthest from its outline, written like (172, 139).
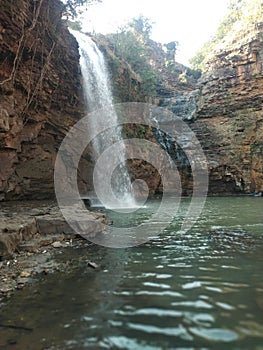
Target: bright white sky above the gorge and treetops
(189, 22)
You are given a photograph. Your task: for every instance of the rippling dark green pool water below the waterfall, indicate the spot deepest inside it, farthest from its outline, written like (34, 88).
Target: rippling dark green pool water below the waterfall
(197, 290)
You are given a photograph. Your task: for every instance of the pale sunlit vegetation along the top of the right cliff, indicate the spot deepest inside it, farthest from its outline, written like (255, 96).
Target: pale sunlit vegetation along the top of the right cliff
(241, 15)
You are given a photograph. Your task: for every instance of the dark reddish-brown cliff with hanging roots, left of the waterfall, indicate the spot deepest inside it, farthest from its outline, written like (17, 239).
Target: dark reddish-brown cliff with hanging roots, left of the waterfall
(39, 95)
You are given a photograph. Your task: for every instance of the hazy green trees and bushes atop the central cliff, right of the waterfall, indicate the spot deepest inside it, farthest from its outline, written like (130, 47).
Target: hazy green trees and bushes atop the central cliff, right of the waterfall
(153, 64)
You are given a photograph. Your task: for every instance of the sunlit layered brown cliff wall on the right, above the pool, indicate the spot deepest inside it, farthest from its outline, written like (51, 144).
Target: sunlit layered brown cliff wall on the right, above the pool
(230, 114)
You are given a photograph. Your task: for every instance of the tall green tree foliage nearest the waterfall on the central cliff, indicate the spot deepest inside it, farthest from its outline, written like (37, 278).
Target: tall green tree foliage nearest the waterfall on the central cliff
(130, 45)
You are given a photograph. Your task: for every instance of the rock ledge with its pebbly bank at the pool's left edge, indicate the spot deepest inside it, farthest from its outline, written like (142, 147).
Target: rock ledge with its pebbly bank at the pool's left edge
(31, 235)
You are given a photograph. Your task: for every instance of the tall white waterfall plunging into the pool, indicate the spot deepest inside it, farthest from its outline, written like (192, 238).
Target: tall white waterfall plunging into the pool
(102, 113)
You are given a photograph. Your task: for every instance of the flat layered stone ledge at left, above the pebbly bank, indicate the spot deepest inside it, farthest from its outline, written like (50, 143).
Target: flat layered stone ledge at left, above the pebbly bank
(24, 220)
